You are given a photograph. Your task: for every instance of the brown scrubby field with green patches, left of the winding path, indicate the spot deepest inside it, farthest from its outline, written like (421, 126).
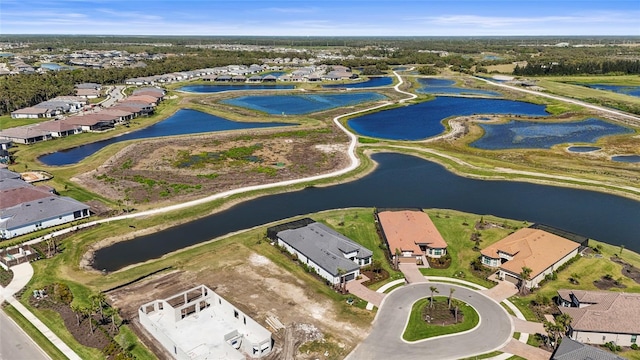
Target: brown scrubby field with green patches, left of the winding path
(180, 169)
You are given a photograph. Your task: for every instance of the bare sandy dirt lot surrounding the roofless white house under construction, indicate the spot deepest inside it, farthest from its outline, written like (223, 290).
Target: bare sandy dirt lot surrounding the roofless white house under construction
(261, 289)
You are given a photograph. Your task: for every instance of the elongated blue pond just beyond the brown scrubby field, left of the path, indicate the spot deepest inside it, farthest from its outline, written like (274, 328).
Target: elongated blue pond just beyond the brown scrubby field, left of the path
(301, 104)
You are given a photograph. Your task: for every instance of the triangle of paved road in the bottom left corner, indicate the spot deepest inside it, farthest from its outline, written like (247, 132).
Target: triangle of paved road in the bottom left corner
(15, 344)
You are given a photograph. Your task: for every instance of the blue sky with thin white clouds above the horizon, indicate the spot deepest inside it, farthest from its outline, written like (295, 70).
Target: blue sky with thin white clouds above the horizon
(322, 17)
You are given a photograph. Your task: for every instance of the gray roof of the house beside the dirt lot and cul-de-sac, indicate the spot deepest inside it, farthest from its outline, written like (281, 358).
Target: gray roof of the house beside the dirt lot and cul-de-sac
(325, 247)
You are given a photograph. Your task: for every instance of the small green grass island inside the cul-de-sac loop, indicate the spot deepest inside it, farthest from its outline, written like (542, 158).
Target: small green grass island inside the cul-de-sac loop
(418, 329)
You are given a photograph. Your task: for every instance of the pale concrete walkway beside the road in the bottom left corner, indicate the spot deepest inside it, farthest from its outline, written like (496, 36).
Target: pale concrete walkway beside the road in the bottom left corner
(21, 275)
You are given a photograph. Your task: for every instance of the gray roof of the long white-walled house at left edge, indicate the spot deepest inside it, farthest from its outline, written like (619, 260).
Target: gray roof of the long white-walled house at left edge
(38, 210)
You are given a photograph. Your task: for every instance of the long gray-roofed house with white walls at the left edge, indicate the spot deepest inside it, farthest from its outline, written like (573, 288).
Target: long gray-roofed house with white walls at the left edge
(40, 214)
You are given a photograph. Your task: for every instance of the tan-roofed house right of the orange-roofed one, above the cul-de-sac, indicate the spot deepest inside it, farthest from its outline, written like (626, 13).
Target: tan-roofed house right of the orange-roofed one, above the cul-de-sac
(538, 250)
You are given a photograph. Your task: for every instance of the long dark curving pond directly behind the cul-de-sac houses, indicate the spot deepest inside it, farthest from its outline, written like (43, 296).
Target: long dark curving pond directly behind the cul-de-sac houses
(401, 181)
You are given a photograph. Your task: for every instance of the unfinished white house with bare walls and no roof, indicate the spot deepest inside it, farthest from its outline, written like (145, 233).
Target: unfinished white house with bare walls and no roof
(198, 324)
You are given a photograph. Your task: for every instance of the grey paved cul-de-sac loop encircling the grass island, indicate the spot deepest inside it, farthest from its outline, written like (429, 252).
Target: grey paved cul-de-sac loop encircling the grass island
(385, 342)
